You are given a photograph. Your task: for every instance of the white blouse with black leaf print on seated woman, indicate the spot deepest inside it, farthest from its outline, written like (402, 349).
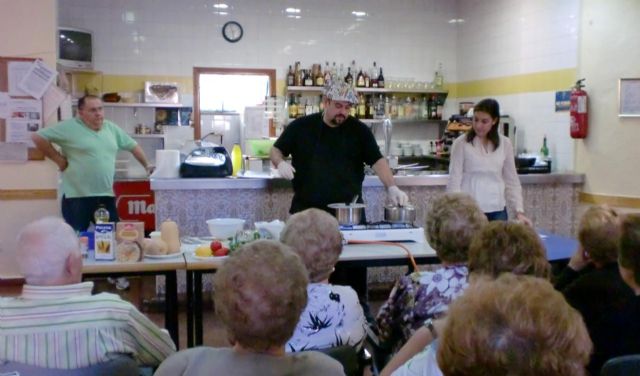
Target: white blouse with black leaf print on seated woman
(333, 317)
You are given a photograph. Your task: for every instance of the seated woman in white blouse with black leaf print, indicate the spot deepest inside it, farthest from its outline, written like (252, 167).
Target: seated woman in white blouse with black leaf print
(333, 316)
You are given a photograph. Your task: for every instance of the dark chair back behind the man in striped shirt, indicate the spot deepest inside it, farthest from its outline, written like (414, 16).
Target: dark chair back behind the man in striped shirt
(122, 365)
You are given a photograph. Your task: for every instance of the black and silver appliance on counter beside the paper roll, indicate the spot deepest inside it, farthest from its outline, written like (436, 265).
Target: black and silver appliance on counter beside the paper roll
(207, 162)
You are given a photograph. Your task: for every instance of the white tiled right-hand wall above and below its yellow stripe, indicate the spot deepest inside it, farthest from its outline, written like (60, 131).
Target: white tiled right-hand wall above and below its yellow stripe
(502, 38)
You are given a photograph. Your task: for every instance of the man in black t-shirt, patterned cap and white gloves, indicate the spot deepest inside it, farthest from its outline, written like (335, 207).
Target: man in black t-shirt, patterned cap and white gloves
(328, 151)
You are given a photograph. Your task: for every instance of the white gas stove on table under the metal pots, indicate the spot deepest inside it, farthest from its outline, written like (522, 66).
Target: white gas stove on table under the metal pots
(383, 231)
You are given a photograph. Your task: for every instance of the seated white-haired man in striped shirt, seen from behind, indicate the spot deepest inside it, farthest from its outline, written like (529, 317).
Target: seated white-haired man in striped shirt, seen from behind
(56, 323)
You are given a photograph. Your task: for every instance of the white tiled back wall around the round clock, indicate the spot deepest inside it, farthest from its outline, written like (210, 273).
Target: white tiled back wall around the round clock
(407, 37)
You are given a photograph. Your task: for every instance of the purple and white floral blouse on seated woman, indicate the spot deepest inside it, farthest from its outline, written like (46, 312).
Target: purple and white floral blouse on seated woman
(416, 298)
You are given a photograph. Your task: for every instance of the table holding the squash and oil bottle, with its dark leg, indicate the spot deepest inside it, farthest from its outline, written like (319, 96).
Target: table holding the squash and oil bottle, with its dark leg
(166, 267)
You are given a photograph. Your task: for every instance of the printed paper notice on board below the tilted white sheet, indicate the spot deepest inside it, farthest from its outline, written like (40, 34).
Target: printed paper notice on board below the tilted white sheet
(25, 118)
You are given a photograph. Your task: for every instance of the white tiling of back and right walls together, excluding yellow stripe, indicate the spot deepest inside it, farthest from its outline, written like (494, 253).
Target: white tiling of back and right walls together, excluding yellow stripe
(498, 38)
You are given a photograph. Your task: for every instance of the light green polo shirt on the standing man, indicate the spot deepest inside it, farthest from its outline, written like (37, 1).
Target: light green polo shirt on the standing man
(91, 155)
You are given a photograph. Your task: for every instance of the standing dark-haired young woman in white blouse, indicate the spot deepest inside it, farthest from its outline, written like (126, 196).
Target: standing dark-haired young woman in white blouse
(483, 165)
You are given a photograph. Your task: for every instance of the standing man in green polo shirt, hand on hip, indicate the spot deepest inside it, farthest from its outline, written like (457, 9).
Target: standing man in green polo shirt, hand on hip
(88, 147)
